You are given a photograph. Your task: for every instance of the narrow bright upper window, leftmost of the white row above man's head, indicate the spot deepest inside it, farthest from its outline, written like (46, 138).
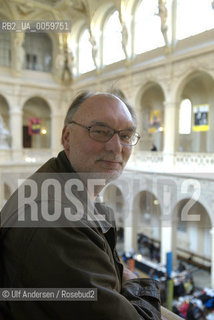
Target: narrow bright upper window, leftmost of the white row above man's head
(86, 62)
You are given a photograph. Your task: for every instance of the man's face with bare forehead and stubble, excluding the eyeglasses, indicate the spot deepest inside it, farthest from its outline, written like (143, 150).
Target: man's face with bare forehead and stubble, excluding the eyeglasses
(104, 159)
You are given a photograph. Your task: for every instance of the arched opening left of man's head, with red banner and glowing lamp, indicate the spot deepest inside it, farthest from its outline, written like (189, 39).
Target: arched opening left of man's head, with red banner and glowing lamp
(36, 124)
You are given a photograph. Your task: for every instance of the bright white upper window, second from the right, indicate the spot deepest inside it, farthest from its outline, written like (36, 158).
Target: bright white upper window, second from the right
(148, 33)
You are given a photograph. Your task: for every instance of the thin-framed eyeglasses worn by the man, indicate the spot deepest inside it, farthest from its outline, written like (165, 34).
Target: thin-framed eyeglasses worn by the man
(104, 133)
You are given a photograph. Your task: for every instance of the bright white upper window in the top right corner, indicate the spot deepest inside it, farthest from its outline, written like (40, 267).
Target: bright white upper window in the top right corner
(194, 17)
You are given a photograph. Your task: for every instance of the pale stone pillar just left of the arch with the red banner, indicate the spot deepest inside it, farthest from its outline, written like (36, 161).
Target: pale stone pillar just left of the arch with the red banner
(16, 132)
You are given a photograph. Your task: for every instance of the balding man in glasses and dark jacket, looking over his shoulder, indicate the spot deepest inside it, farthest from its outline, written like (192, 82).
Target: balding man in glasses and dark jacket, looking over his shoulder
(79, 251)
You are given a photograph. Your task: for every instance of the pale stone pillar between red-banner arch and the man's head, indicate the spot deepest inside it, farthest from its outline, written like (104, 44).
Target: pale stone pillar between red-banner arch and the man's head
(57, 120)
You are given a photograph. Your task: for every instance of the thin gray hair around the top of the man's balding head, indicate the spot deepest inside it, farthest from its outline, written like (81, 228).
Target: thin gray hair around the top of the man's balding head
(78, 101)
